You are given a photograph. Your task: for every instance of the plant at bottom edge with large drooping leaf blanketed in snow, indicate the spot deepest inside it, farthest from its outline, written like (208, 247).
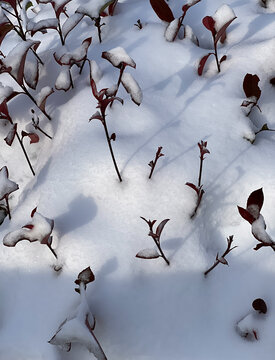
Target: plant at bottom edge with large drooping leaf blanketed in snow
(79, 327)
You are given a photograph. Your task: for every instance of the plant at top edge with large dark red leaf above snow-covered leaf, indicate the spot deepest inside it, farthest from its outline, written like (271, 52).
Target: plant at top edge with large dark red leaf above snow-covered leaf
(164, 12)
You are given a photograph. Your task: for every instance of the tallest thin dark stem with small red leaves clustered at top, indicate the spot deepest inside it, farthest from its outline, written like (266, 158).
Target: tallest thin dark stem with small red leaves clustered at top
(103, 101)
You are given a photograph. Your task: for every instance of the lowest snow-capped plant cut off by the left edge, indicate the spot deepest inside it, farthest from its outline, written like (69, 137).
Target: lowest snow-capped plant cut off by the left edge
(6, 188)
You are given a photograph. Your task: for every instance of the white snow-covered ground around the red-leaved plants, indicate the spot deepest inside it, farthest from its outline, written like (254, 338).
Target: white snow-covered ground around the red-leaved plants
(144, 309)
